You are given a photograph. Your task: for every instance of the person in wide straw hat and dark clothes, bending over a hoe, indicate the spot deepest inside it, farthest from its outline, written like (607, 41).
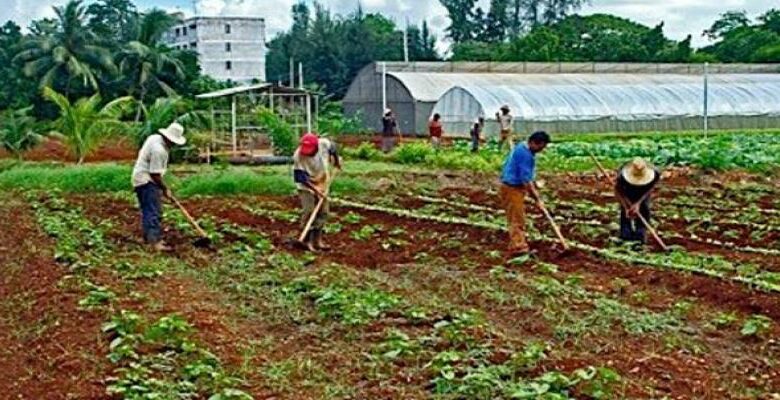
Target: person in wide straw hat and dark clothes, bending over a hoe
(635, 183)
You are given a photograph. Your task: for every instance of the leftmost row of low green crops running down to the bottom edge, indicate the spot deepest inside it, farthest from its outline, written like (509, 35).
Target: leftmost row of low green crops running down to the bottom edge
(152, 359)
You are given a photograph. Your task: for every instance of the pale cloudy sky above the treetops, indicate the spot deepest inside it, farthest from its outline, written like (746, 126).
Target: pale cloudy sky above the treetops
(681, 17)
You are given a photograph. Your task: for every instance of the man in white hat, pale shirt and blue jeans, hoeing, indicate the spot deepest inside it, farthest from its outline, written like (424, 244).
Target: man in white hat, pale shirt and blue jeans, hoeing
(149, 184)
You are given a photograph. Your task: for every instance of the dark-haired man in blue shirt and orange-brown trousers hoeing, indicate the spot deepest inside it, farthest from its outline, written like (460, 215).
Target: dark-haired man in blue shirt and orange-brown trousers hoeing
(517, 181)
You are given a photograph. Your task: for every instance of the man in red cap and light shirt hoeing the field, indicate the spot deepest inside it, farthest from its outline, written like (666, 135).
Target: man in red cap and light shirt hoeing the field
(310, 170)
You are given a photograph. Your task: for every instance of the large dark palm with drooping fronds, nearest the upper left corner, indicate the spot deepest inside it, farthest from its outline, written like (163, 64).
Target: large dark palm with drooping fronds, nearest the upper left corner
(69, 53)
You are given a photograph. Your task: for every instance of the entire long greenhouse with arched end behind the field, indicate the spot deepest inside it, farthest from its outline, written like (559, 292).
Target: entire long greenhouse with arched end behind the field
(569, 97)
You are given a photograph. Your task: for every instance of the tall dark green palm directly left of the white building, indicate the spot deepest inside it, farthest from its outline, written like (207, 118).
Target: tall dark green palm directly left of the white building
(146, 62)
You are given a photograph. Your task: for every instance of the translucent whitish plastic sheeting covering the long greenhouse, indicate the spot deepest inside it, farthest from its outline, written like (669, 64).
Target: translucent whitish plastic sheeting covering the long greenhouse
(558, 97)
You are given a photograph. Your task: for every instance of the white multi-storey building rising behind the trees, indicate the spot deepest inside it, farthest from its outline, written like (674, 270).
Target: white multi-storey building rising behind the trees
(229, 48)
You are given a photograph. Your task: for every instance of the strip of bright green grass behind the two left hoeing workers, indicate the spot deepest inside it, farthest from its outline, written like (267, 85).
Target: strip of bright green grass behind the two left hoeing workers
(103, 178)
